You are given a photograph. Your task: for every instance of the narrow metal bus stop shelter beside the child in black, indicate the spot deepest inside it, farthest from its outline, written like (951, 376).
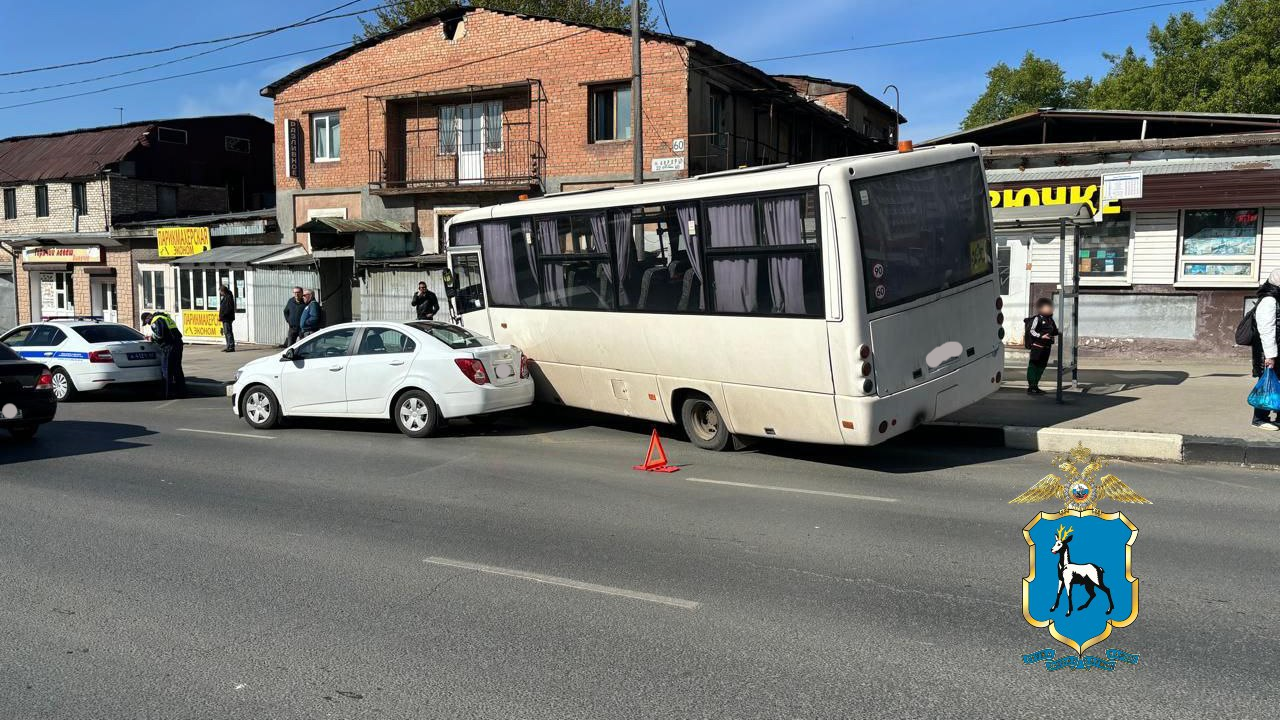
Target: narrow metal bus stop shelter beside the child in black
(1064, 221)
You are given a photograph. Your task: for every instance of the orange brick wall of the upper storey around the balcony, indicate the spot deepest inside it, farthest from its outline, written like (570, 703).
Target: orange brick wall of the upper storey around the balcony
(488, 49)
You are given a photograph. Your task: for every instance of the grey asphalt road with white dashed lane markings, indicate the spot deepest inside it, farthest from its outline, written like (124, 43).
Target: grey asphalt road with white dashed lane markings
(150, 568)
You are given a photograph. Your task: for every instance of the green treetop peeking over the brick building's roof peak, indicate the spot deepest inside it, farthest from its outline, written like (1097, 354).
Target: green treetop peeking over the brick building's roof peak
(609, 13)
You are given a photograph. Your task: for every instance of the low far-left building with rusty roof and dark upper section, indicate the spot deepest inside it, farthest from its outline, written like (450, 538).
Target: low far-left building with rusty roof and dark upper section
(65, 194)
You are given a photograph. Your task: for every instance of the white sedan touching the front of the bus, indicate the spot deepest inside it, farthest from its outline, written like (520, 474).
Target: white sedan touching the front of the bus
(414, 373)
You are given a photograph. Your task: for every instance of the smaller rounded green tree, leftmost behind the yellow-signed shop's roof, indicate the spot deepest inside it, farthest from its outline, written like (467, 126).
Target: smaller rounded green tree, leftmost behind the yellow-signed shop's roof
(1034, 84)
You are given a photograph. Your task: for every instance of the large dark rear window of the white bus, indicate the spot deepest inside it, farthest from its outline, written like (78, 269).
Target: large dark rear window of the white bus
(922, 231)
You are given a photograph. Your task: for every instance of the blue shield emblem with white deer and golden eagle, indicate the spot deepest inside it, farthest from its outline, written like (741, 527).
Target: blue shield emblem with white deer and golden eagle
(1081, 584)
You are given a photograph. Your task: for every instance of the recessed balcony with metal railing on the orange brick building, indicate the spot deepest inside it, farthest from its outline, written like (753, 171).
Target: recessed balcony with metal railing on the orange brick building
(461, 140)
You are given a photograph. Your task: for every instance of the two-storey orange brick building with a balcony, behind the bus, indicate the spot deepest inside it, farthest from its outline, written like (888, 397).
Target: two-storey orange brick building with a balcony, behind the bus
(474, 107)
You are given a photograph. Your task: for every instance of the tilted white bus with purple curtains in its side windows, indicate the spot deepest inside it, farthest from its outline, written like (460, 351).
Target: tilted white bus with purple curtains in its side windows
(843, 302)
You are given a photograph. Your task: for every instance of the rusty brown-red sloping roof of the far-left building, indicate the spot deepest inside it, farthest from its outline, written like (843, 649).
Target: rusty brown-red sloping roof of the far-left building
(67, 156)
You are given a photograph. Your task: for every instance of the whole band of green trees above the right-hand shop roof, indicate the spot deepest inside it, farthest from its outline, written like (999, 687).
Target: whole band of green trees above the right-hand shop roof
(1228, 63)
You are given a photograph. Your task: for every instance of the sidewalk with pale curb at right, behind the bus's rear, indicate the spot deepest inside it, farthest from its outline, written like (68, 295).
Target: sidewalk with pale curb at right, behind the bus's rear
(1167, 411)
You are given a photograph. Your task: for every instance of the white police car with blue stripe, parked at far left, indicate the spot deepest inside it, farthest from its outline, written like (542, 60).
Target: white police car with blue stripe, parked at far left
(85, 356)
